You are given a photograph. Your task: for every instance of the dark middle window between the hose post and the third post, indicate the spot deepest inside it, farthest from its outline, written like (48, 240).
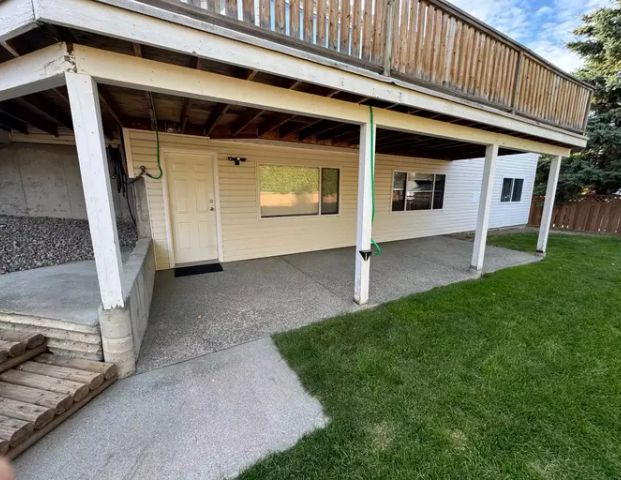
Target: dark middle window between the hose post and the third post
(417, 191)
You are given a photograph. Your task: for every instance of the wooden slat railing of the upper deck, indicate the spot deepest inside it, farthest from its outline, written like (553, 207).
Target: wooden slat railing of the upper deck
(428, 42)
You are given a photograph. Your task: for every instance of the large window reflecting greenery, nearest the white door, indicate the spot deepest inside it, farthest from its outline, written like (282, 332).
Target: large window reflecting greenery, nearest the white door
(295, 191)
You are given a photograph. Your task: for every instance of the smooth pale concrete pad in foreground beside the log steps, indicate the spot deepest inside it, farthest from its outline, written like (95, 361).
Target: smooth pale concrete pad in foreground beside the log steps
(208, 418)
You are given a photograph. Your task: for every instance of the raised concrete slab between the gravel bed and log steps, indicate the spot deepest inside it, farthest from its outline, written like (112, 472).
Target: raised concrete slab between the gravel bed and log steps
(68, 292)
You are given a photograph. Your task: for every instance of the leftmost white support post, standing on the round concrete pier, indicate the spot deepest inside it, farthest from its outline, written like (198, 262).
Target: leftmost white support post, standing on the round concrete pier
(89, 139)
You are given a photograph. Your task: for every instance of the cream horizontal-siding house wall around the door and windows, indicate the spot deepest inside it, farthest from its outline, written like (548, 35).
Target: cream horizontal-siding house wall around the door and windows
(245, 235)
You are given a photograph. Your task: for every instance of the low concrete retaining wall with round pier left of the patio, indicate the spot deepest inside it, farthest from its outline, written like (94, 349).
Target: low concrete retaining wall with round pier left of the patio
(122, 330)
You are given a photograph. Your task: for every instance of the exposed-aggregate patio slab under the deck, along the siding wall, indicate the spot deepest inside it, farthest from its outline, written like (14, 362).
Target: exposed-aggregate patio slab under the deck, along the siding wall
(194, 315)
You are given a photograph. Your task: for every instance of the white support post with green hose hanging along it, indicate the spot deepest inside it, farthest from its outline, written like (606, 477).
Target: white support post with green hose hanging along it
(363, 225)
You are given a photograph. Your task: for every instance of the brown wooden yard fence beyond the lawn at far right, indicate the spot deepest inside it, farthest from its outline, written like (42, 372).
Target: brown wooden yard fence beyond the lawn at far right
(590, 213)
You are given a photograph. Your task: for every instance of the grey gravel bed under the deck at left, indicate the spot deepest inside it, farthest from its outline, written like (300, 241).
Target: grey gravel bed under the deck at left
(32, 242)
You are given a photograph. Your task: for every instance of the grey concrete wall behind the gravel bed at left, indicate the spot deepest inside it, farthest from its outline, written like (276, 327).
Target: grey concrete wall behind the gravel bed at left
(39, 180)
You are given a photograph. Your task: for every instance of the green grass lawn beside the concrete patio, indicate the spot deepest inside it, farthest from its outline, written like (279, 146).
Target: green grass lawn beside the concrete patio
(517, 375)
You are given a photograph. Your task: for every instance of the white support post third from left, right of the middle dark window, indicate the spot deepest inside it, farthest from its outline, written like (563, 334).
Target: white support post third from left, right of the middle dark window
(485, 206)
